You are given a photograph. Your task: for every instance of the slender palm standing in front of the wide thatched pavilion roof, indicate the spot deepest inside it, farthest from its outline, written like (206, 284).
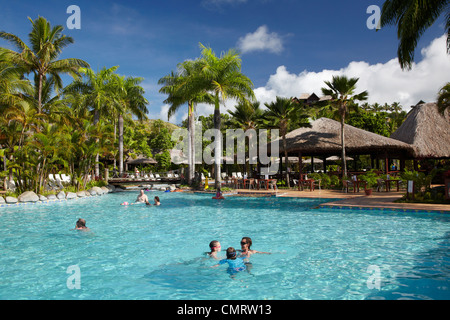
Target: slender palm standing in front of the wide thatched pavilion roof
(342, 92)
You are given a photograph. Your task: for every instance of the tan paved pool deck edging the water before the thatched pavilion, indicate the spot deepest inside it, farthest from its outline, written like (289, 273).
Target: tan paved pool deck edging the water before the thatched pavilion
(353, 200)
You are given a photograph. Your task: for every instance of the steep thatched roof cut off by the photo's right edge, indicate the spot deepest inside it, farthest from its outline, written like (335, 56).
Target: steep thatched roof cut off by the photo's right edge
(427, 130)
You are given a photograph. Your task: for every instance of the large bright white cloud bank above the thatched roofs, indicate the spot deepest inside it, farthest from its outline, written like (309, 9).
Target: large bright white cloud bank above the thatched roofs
(385, 82)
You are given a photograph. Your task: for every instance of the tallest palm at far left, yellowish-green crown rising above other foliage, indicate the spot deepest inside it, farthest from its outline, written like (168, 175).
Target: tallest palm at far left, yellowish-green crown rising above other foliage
(47, 43)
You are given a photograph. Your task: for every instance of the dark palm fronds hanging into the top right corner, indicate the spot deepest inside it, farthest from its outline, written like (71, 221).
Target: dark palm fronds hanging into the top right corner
(413, 17)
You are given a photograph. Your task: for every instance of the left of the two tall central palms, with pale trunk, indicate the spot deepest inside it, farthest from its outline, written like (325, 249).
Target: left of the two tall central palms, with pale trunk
(186, 86)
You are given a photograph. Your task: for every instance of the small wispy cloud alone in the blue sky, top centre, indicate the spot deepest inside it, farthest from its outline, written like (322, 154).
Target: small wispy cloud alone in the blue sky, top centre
(261, 40)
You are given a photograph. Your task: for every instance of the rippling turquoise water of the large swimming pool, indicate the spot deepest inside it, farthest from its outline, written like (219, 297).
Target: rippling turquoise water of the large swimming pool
(139, 252)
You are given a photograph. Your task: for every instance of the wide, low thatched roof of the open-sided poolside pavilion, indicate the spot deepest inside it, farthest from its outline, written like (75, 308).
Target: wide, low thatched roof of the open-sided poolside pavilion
(324, 138)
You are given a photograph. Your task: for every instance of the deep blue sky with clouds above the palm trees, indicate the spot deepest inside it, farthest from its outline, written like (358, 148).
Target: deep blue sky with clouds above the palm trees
(288, 47)
